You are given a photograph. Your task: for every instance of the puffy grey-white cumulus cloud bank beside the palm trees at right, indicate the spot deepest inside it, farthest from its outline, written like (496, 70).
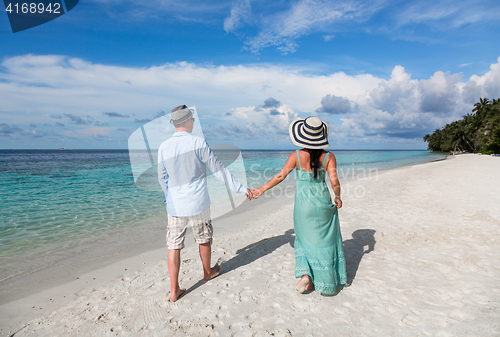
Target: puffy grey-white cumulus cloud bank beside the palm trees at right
(404, 108)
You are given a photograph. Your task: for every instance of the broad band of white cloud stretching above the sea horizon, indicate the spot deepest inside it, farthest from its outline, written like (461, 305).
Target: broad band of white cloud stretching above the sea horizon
(238, 102)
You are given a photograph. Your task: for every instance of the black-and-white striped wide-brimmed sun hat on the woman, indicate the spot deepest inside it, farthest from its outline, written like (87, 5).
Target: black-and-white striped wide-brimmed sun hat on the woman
(311, 133)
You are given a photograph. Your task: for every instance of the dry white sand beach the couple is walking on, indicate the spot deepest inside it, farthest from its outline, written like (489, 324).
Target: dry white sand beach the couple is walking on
(422, 251)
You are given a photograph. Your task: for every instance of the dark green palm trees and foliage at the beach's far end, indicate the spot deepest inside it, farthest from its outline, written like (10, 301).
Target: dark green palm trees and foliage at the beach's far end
(477, 132)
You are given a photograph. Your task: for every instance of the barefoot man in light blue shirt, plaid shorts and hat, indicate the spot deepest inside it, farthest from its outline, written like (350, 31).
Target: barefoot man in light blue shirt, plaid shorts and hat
(182, 161)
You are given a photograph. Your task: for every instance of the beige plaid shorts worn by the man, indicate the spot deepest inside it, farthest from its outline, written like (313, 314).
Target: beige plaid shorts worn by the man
(177, 226)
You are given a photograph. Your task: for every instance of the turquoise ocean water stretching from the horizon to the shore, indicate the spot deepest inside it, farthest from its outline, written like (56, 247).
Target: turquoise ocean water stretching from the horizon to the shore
(52, 197)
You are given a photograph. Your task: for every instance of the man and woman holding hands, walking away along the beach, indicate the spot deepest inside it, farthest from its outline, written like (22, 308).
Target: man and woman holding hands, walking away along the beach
(319, 253)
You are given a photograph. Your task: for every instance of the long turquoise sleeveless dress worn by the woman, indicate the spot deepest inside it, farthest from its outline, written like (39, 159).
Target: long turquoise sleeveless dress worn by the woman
(319, 252)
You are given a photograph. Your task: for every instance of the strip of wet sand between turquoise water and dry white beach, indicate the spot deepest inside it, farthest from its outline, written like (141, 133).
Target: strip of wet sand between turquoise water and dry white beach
(86, 258)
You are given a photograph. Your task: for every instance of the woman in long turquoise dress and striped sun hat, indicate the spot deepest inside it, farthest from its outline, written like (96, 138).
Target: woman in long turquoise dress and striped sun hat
(319, 254)
